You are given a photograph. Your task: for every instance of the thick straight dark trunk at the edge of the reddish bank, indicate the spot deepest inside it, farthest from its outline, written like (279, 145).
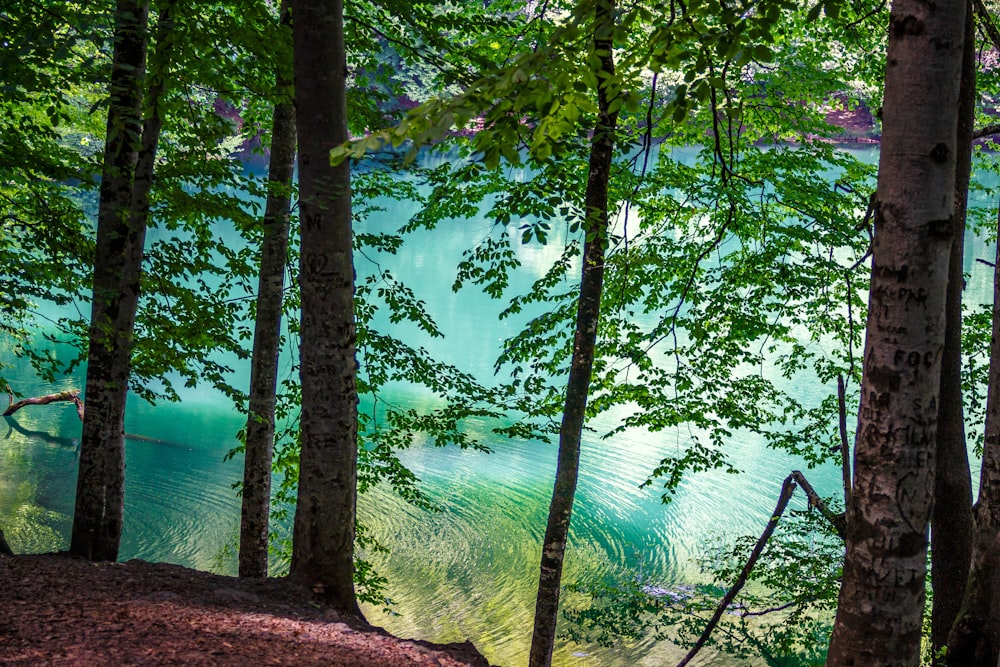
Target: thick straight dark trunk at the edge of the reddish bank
(323, 535)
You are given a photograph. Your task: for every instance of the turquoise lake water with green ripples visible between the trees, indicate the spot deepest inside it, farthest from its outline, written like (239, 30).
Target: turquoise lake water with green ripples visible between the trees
(467, 572)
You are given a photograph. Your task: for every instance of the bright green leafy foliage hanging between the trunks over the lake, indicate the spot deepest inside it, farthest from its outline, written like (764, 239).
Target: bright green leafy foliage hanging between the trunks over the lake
(732, 268)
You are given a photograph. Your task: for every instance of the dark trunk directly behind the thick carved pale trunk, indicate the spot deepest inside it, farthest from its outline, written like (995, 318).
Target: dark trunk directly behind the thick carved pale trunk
(951, 520)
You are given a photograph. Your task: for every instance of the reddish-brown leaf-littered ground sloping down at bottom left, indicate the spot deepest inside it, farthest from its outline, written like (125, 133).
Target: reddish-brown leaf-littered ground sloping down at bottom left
(59, 610)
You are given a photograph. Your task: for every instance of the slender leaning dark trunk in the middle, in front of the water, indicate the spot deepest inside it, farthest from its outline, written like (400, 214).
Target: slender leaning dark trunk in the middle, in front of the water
(584, 340)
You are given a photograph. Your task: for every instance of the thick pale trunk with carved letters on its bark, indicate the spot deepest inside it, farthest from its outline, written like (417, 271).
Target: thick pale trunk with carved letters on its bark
(882, 592)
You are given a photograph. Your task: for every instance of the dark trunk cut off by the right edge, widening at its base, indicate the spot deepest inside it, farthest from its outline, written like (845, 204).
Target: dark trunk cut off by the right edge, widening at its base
(975, 638)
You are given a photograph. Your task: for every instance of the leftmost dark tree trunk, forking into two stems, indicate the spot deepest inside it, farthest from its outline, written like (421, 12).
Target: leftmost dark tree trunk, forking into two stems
(129, 159)
